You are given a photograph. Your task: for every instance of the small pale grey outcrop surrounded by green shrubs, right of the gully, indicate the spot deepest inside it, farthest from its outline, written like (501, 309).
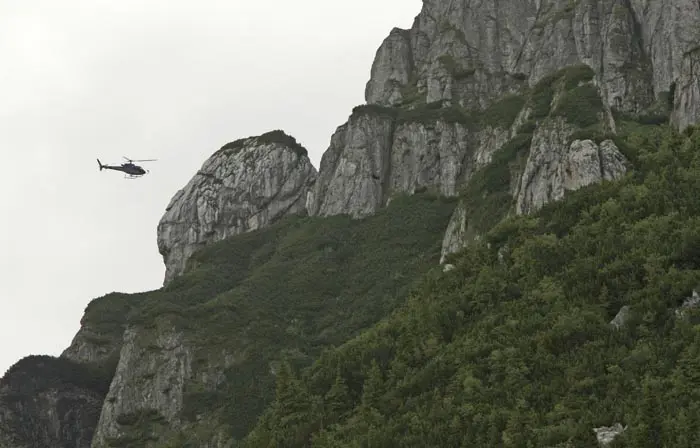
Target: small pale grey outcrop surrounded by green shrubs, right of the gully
(555, 167)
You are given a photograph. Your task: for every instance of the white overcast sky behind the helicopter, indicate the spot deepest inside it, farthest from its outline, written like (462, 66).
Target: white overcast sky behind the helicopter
(172, 80)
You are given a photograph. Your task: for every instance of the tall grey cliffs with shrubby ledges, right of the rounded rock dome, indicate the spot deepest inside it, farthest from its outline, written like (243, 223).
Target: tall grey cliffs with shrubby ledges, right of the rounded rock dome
(470, 78)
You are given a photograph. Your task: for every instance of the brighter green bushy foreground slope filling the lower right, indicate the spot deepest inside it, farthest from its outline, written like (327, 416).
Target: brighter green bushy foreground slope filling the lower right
(514, 347)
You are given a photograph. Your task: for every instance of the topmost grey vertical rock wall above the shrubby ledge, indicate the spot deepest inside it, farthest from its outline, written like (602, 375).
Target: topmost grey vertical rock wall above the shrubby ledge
(472, 52)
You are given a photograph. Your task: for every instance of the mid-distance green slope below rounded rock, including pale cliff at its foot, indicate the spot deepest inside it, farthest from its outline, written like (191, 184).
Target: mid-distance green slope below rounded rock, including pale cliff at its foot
(198, 357)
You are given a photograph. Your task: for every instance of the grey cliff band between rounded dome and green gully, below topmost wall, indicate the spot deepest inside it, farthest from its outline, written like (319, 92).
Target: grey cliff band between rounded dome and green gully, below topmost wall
(379, 153)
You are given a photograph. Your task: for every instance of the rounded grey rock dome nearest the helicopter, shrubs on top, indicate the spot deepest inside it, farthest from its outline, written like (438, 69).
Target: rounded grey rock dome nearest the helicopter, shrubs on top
(244, 186)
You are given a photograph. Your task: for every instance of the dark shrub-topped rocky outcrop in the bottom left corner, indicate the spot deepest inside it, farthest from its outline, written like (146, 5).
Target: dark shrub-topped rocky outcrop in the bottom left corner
(48, 402)
